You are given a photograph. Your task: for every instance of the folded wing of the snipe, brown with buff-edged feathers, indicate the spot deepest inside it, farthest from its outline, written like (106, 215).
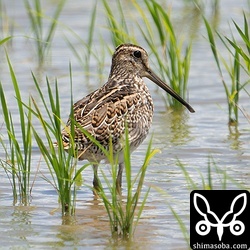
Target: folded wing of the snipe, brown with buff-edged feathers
(103, 109)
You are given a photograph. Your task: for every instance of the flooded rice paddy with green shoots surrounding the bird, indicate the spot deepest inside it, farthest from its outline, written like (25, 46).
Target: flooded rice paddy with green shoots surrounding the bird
(54, 54)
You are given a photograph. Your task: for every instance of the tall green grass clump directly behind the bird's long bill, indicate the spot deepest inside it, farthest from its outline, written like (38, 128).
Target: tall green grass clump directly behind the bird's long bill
(172, 55)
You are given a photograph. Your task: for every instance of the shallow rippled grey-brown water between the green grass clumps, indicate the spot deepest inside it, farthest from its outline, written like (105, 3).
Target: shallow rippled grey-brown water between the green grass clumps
(189, 138)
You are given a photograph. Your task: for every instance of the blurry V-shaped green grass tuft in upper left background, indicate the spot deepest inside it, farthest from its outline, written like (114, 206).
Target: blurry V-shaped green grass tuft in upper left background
(36, 16)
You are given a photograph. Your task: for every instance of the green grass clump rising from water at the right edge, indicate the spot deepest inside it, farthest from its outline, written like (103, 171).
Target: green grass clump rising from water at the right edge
(232, 67)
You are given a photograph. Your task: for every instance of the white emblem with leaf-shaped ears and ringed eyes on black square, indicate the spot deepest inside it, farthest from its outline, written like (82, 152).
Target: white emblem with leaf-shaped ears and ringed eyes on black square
(203, 227)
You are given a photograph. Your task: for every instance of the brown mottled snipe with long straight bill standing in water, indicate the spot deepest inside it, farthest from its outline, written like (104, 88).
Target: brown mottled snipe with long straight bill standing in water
(124, 101)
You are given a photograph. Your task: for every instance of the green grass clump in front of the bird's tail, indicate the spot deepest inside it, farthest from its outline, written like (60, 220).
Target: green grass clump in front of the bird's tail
(66, 177)
